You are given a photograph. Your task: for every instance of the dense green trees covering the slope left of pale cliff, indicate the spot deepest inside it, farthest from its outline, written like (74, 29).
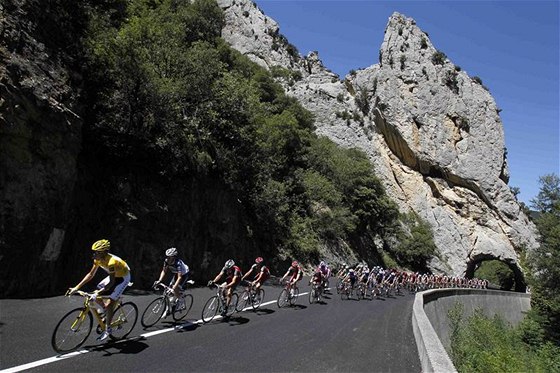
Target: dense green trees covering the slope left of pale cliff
(177, 102)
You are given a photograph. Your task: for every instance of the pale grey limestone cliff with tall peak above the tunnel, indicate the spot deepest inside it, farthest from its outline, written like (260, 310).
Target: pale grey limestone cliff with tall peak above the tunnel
(433, 133)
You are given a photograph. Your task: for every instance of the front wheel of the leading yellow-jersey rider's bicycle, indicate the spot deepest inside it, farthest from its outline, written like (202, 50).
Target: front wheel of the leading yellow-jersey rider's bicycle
(72, 330)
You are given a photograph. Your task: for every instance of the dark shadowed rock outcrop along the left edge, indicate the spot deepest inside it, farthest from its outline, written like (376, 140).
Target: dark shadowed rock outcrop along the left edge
(40, 138)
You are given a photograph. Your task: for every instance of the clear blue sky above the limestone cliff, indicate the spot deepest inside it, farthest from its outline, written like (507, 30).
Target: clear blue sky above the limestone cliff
(513, 46)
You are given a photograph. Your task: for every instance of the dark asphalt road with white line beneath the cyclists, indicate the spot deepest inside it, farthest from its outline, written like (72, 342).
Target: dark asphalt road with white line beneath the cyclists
(333, 336)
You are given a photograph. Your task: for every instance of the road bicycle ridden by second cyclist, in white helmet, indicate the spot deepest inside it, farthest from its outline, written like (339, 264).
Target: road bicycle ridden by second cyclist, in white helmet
(165, 304)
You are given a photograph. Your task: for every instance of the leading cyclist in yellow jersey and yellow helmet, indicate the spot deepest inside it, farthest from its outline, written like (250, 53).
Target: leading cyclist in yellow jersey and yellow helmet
(114, 284)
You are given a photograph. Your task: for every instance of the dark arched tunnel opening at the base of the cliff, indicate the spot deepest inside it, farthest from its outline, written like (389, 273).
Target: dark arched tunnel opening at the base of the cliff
(504, 274)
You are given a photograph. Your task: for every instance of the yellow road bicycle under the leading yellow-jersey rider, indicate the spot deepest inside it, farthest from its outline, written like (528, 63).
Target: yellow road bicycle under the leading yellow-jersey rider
(75, 327)
